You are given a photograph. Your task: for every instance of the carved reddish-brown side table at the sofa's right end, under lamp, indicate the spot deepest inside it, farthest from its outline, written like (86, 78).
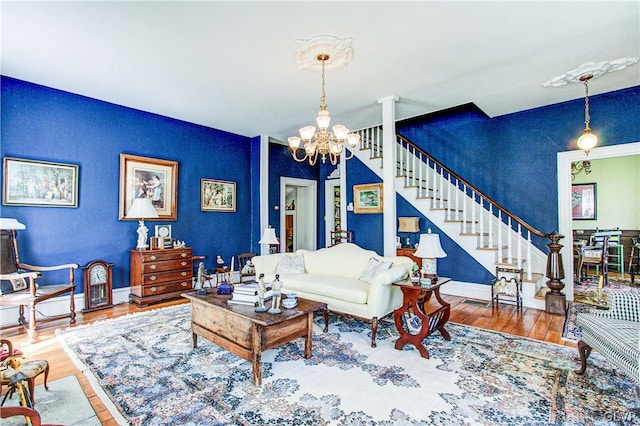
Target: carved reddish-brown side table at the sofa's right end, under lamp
(415, 298)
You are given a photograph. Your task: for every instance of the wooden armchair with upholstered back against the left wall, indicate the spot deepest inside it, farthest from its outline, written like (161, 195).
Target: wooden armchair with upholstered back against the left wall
(26, 291)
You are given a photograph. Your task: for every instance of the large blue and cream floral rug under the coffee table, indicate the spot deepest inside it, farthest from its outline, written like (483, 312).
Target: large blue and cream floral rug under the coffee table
(146, 368)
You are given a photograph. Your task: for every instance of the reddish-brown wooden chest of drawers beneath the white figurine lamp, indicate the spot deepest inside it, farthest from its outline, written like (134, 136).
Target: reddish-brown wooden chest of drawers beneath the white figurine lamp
(158, 275)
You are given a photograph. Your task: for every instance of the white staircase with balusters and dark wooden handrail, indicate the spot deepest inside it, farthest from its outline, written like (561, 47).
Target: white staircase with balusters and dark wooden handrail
(482, 227)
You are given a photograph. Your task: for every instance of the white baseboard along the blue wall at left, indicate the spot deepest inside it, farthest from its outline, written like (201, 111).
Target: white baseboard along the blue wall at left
(56, 306)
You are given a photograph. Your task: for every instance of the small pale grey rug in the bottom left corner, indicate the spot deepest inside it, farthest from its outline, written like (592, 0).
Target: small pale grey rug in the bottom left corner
(55, 405)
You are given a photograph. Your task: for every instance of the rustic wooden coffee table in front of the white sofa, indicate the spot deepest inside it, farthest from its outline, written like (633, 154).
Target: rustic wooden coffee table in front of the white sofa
(246, 333)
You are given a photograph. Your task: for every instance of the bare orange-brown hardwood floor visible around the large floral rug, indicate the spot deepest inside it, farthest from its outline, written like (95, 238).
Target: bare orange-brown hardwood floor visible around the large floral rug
(530, 323)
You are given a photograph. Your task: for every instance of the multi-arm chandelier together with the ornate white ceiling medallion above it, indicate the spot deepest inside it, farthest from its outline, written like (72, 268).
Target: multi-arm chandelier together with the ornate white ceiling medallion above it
(313, 53)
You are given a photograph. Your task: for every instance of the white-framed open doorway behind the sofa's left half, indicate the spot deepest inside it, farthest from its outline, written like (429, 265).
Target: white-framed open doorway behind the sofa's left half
(298, 214)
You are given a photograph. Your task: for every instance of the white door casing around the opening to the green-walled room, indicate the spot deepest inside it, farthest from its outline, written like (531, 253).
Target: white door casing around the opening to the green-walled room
(565, 222)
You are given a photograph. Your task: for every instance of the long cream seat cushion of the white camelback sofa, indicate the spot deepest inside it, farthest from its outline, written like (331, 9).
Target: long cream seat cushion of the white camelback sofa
(347, 289)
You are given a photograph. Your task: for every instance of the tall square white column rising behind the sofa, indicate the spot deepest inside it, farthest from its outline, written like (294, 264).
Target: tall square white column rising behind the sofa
(389, 173)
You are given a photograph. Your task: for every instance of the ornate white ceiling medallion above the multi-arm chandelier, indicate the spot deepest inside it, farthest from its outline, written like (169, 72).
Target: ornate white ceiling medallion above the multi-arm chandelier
(339, 52)
